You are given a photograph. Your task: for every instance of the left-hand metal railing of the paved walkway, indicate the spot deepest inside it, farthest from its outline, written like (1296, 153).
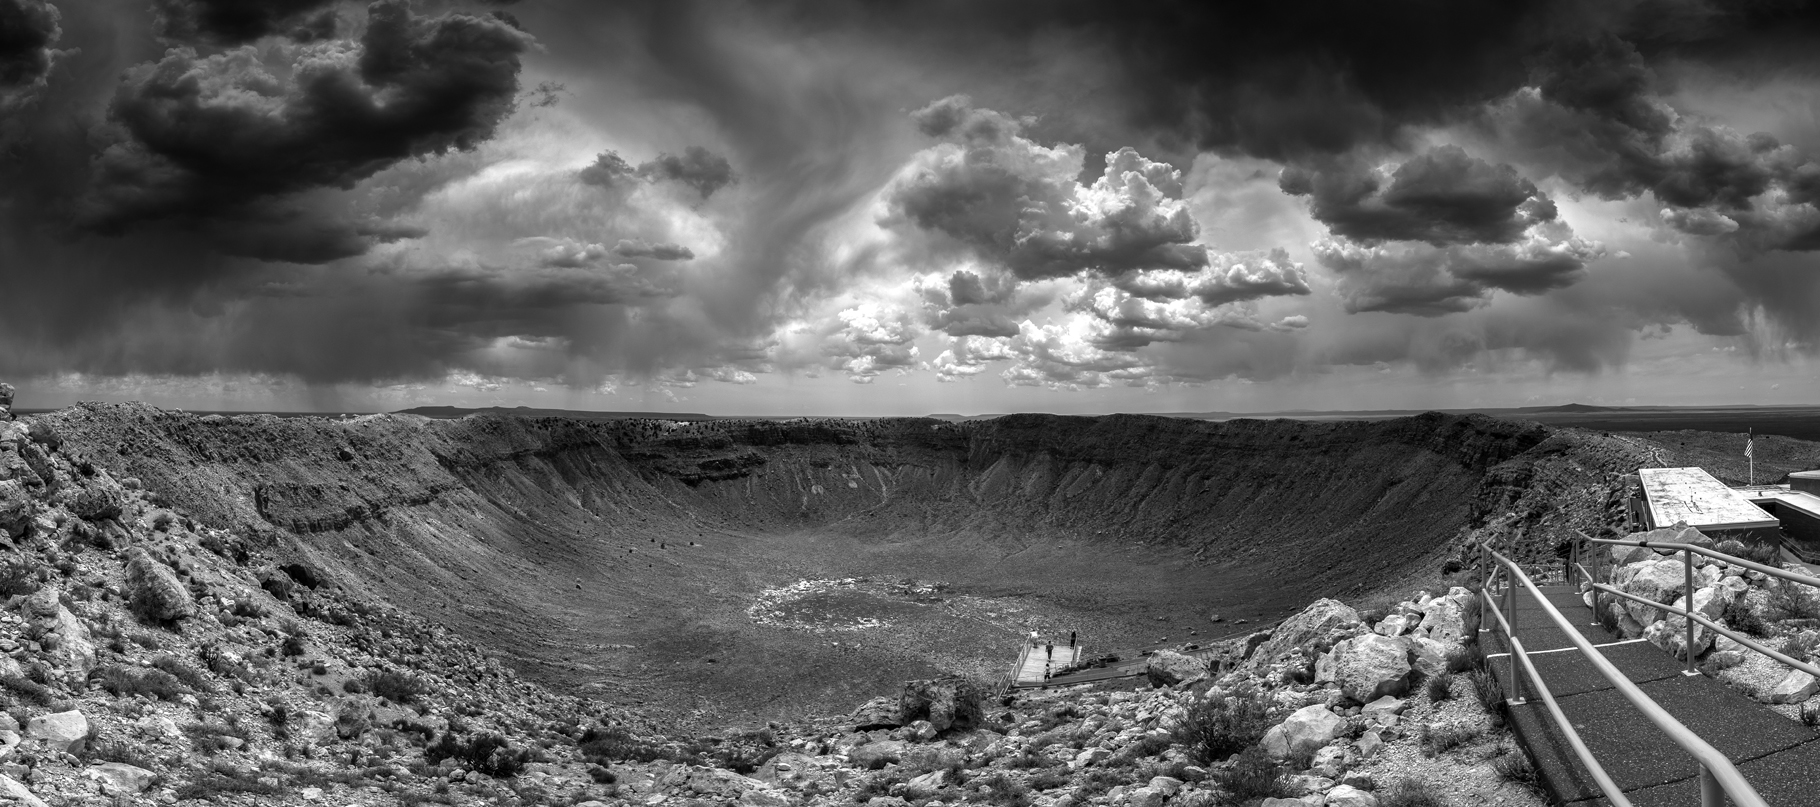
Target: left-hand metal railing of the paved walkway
(1719, 777)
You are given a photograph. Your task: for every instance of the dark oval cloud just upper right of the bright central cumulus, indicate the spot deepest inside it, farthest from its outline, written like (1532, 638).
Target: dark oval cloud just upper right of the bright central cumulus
(1442, 198)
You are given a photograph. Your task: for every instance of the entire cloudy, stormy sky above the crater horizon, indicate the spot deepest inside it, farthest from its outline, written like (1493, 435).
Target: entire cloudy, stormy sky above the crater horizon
(882, 209)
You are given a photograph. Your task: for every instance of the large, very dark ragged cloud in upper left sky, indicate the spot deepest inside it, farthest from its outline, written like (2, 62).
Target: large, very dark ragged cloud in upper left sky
(216, 141)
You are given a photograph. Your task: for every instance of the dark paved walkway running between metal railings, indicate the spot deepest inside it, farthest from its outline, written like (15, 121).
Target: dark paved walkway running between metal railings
(1777, 755)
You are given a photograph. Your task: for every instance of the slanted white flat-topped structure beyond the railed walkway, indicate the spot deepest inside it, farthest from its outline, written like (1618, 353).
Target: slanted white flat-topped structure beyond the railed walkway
(1695, 498)
